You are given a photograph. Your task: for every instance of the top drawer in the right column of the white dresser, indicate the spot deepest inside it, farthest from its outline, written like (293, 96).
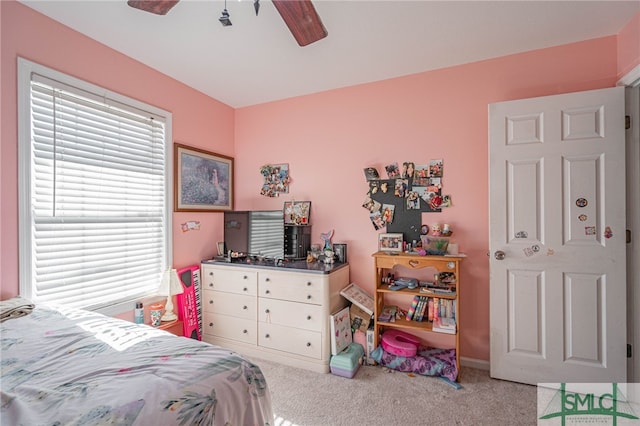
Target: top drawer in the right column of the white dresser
(293, 287)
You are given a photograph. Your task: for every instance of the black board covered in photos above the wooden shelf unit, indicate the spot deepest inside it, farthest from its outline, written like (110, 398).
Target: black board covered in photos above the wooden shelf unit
(412, 187)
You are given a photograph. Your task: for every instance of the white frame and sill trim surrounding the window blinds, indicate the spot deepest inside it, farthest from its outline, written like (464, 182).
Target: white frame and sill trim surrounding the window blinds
(25, 70)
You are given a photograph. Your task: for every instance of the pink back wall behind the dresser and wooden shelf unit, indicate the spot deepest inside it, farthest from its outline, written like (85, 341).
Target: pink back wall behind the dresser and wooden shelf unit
(328, 138)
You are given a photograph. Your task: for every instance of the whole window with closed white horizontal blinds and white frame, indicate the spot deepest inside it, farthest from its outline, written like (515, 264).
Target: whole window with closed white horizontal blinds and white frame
(93, 191)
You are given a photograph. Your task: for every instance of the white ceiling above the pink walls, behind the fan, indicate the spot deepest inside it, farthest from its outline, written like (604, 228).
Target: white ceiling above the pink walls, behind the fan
(257, 60)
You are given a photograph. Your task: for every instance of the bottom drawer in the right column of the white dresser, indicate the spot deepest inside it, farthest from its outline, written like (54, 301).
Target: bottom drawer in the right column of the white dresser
(292, 340)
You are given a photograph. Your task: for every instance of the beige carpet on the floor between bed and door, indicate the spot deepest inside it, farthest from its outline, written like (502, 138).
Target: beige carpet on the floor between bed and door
(377, 396)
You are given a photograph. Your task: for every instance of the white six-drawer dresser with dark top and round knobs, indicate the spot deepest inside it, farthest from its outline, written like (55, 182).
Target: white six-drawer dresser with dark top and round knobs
(275, 313)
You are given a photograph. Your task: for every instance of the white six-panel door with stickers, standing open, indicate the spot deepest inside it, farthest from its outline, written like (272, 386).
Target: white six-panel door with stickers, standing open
(557, 238)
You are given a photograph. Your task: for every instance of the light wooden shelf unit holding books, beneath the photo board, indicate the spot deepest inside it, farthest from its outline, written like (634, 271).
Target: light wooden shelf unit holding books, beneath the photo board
(386, 263)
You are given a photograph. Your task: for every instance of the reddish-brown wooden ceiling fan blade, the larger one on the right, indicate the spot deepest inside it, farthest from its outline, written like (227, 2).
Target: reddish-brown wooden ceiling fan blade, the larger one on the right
(302, 19)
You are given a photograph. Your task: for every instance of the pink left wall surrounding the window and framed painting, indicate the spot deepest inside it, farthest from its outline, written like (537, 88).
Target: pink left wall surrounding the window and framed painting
(198, 120)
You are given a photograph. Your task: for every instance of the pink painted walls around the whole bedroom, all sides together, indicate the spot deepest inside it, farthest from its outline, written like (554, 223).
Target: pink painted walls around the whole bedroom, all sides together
(326, 138)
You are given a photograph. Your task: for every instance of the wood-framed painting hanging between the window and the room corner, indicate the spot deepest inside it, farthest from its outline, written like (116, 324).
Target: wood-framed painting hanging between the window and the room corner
(203, 181)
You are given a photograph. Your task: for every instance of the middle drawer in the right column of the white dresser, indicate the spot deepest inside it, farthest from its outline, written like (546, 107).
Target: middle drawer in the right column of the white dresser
(294, 314)
